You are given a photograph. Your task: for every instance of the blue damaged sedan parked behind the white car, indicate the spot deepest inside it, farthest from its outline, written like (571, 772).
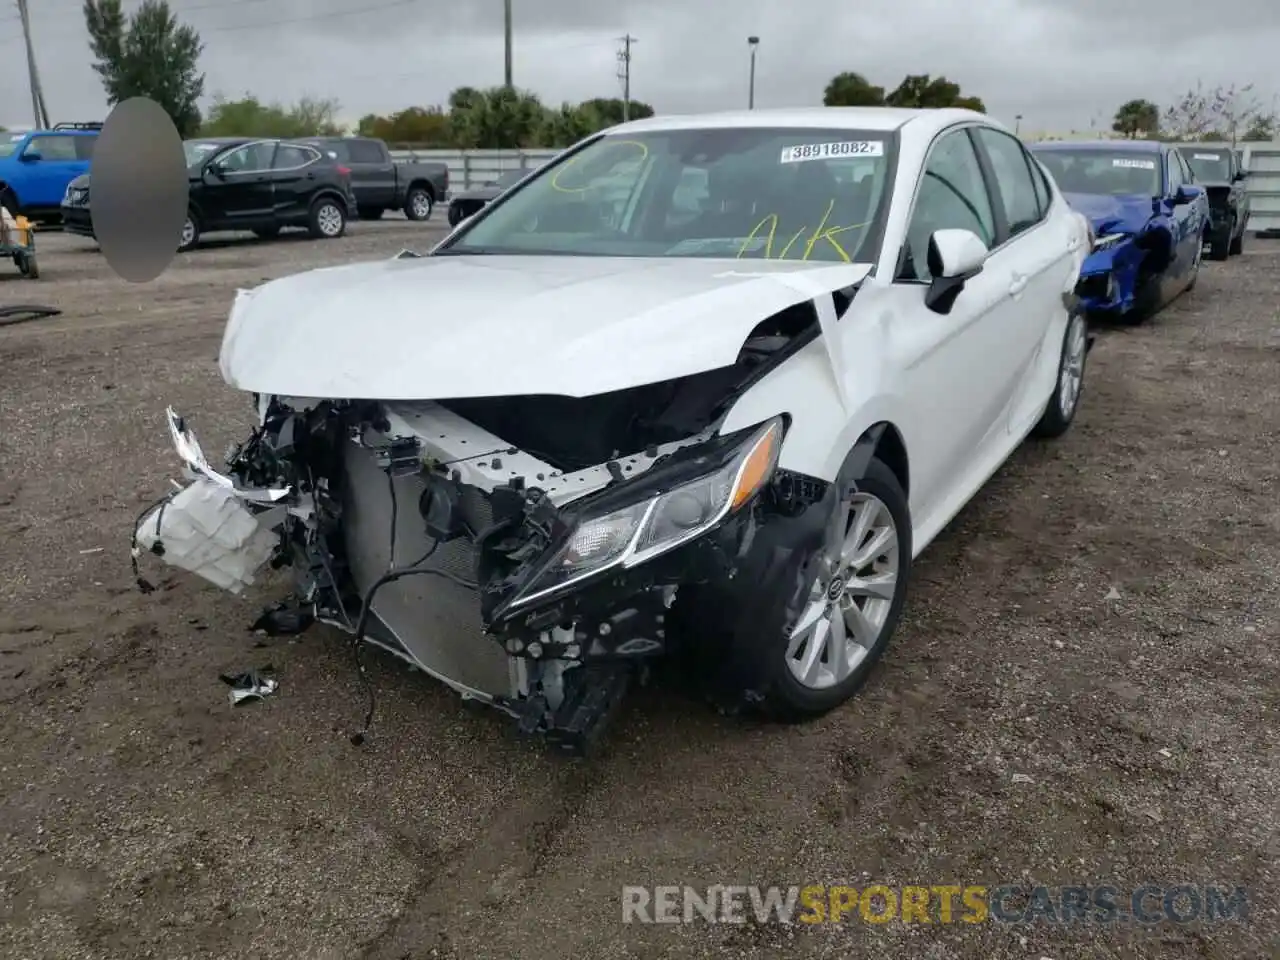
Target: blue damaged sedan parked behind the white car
(1149, 217)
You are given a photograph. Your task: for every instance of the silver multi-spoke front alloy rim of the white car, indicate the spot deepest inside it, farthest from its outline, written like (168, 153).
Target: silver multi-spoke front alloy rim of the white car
(851, 601)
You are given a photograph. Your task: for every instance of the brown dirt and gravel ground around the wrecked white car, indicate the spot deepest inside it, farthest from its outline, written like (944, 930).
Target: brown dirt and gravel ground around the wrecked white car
(1103, 623)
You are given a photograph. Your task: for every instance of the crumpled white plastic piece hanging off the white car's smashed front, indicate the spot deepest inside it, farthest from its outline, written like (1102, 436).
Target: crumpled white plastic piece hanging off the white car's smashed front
(208, 531)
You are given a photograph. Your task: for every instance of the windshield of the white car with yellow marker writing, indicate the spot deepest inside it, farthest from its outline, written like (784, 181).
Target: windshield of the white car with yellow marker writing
(743, 194)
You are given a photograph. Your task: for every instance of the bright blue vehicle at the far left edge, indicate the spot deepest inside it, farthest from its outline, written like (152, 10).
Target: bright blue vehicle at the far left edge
(38, 166)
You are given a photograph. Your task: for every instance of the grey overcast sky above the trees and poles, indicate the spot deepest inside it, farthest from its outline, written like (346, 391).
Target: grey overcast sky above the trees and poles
(1059, 63)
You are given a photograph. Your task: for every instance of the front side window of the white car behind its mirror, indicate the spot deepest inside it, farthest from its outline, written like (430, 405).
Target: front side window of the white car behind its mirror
(952, 195)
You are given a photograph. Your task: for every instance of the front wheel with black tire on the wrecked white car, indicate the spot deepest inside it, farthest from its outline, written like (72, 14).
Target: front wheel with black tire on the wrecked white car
(849, 609)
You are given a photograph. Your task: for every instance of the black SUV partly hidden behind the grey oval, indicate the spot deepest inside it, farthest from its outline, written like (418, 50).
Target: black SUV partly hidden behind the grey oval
(240, 184)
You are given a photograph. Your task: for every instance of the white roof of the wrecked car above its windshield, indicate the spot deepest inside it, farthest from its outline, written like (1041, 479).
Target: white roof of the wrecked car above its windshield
(854, 118)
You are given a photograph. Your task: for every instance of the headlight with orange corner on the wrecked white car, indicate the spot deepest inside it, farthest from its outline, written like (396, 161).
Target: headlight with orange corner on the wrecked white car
(625, 537)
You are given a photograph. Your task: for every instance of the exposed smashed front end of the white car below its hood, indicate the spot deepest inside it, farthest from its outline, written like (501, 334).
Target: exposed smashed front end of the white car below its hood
(525, 551)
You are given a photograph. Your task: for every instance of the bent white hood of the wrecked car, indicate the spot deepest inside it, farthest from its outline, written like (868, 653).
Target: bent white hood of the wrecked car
(454, 327)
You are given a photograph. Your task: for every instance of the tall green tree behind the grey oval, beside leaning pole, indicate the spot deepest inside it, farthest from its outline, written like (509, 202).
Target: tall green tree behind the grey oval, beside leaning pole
(150, 56)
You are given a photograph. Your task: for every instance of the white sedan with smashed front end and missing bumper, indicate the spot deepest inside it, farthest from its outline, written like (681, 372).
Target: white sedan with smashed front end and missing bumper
(701, 387)
